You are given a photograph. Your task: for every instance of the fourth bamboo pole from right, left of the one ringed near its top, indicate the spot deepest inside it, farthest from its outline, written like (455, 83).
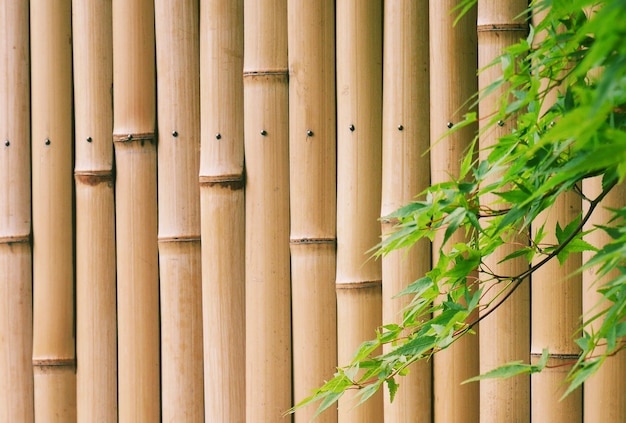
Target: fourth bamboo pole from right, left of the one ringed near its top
(453, 63)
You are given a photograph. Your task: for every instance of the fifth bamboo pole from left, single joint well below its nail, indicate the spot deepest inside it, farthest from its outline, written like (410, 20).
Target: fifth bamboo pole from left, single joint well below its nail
(178, 85)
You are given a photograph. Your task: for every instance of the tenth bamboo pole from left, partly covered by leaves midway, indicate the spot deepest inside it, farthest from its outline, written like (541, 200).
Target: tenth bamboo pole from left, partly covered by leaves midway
(405, 173)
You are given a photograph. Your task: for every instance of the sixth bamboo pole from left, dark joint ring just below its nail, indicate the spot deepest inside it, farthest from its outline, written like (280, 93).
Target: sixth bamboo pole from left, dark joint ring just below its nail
(222, 206)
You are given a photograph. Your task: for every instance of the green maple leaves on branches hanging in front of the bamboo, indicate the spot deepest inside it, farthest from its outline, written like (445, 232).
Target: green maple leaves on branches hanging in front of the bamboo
(546, 154)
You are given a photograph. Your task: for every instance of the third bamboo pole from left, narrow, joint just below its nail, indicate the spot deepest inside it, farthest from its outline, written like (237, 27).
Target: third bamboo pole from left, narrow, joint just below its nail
(96, 323)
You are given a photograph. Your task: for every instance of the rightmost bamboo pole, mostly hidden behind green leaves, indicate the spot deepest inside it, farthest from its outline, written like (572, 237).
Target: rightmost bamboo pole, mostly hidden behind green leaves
(604, 399)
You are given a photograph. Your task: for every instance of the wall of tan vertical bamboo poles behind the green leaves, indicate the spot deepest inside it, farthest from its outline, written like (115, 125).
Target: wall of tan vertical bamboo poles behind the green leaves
(188, 193)
